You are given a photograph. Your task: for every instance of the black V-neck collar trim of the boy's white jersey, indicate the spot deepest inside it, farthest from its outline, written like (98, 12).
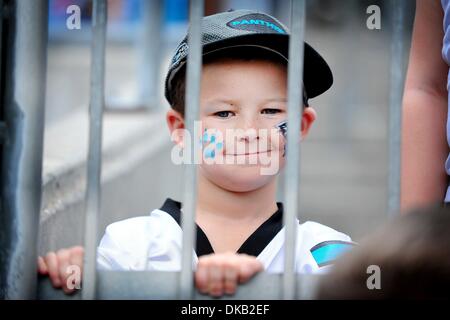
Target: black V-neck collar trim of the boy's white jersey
(254, 244)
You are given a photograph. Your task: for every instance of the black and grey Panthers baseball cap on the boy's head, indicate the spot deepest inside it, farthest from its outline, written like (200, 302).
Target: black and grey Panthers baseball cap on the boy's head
(249, 28)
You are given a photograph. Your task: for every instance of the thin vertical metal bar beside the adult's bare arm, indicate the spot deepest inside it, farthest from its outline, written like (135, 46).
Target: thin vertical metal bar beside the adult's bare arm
(395, 105)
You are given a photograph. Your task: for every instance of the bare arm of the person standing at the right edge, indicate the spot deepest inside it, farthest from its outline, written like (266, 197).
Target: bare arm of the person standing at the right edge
(425, 136)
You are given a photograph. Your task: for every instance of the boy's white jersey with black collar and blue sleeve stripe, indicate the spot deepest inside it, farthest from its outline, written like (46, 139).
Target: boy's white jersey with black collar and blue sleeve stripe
(154, 243)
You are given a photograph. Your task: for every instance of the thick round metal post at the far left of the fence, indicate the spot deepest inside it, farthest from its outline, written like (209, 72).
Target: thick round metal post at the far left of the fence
(23, 104)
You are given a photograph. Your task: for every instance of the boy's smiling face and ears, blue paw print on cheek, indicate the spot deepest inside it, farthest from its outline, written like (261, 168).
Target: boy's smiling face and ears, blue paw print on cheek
(241, 102)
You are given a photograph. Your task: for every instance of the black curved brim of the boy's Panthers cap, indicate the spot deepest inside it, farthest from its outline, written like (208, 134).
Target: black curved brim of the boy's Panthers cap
(317, 75)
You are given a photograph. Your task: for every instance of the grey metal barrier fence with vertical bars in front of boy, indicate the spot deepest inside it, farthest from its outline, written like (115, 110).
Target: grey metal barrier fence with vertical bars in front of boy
(22, 160)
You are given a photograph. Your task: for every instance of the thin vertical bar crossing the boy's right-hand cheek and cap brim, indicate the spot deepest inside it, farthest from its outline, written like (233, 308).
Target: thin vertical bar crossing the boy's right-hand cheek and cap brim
(292, 183)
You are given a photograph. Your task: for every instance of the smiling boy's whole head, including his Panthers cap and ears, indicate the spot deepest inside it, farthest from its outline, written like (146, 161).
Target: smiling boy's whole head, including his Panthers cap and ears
(243, 96)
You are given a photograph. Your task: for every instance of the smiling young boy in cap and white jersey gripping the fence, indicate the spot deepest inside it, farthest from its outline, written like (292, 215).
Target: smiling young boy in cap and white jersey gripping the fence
(240, 232)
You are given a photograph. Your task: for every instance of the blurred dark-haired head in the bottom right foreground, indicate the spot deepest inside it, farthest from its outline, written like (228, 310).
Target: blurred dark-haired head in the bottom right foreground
(413, 256)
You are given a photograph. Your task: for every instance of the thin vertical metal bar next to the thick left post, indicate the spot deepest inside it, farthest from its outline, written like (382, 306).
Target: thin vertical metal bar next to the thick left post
(97, 104)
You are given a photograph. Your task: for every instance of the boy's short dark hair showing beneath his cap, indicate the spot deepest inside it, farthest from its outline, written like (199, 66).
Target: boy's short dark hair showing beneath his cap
(177, 96)
